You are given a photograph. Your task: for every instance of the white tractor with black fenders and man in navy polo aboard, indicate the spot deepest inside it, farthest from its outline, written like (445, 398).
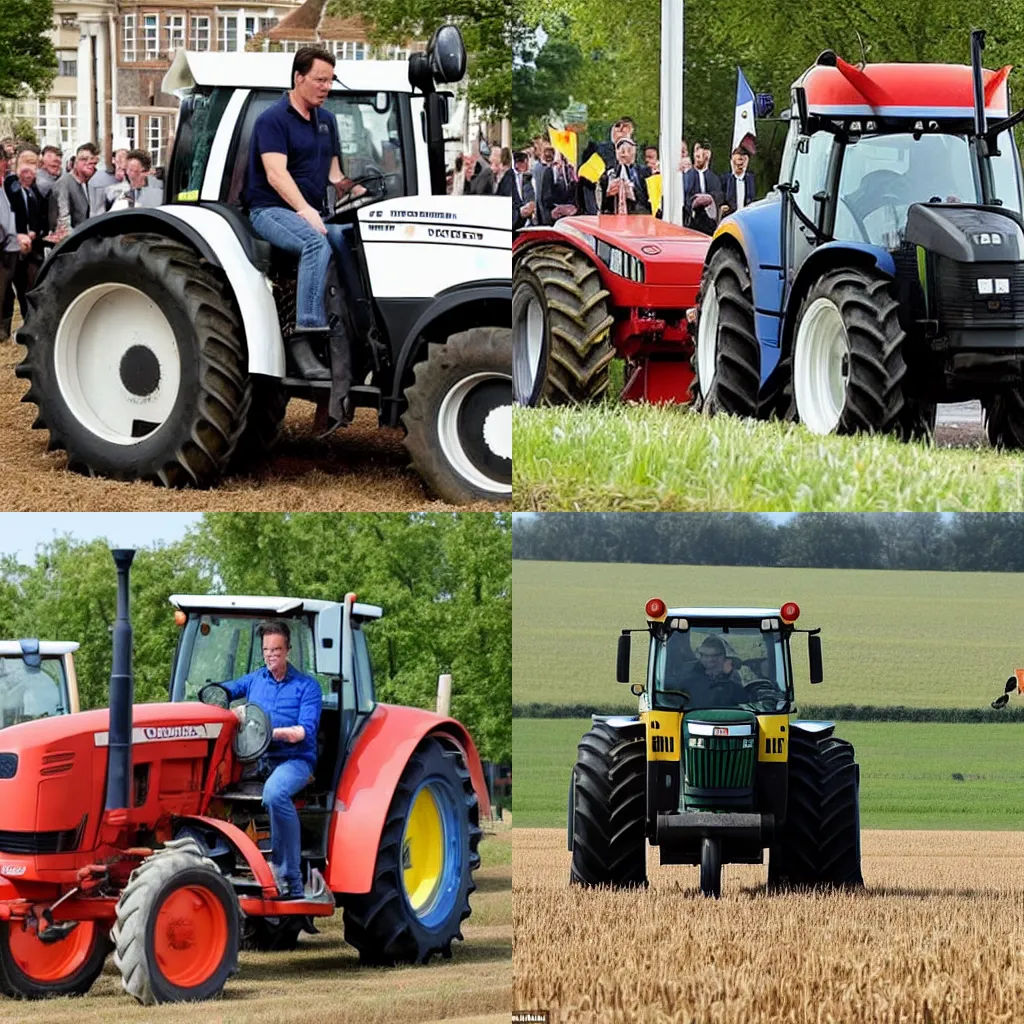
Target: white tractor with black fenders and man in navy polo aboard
(156, 337)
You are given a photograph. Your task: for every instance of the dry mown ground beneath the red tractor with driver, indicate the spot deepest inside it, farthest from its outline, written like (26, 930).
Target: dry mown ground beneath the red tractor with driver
(323, 984)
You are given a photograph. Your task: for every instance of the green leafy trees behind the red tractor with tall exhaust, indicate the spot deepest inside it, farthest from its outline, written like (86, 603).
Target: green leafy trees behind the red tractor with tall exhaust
(444, 581)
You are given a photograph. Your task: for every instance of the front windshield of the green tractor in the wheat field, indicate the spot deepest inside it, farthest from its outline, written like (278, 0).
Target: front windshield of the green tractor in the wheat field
(721, 667)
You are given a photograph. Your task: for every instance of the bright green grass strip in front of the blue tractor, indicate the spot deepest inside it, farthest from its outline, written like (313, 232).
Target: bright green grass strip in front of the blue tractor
(620, 458)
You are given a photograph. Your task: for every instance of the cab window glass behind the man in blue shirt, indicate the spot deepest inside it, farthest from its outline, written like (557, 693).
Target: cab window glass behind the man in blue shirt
(218, 649)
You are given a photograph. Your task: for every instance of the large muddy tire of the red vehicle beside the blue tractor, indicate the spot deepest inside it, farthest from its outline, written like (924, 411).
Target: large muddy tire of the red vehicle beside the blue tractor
(562, 285)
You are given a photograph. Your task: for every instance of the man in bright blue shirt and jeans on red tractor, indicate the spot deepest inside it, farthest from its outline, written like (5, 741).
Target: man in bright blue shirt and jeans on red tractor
(292, 703)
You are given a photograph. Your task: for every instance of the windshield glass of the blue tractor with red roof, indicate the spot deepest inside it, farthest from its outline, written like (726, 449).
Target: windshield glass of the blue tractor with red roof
(882, 176)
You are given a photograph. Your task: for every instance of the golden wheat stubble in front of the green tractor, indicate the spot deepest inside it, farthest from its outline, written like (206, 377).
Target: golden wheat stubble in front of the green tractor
(936, 937)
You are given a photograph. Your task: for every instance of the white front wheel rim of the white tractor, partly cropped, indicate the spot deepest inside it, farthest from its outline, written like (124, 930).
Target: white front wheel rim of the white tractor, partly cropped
(495, 440)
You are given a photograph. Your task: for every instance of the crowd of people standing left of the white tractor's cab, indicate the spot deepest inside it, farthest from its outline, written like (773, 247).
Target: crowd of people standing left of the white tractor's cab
(45, 198)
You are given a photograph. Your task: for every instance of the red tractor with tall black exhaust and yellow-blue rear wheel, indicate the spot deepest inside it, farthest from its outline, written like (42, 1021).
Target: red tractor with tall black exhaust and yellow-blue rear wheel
(141, 830)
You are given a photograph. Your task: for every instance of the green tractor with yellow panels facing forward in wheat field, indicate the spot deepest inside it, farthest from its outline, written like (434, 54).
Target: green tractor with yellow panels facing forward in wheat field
(716, 769)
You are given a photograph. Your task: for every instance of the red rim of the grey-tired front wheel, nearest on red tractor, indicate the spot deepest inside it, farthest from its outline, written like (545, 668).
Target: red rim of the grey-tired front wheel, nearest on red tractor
(190, 936)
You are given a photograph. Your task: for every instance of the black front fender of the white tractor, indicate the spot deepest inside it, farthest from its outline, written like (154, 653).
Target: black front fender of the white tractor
(494, 303)
